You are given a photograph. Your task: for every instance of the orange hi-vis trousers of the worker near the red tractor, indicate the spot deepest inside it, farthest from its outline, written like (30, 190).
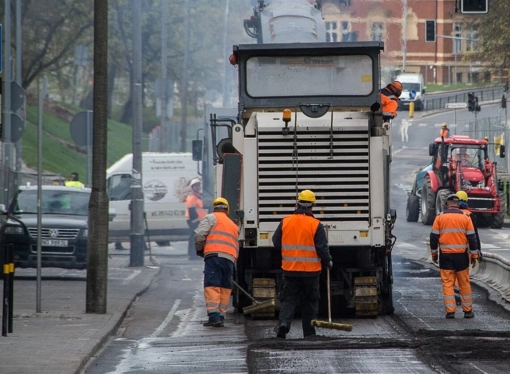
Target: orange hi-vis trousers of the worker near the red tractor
(448, 278)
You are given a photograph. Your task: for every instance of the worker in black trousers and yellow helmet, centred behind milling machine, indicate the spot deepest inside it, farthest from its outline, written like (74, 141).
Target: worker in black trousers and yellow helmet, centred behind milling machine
(303, 242)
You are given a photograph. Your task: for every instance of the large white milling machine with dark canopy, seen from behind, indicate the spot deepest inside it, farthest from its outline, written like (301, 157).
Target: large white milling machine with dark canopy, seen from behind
(334, 144)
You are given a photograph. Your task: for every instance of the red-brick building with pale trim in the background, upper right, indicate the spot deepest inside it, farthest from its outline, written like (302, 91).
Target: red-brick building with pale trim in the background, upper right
(445, 61)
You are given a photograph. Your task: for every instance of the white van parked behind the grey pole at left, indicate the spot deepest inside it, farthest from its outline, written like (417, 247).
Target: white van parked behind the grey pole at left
(165, 181)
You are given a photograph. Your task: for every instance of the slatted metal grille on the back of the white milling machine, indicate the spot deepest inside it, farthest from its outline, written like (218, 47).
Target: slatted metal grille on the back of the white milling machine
(333, 164)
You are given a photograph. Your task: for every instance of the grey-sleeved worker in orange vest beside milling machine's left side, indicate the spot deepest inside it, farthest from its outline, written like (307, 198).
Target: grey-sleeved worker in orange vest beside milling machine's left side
(217, 241)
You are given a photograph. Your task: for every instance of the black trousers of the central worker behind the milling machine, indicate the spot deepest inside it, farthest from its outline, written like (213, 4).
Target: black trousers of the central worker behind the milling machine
(304, 292)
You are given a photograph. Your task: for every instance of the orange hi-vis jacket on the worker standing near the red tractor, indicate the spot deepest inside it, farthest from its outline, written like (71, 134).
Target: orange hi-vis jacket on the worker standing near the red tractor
(453, 229)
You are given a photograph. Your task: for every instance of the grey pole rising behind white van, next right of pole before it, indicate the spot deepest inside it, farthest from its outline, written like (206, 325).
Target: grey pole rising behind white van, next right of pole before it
(163, 137)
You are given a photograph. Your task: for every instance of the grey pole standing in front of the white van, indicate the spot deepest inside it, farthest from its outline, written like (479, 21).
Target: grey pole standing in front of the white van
(137, 230)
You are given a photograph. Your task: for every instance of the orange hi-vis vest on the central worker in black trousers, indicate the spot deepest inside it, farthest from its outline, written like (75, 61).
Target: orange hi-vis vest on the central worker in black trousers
(298, 246)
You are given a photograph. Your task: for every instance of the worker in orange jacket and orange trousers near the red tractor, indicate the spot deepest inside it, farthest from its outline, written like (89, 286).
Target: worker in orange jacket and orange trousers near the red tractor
(451, 239)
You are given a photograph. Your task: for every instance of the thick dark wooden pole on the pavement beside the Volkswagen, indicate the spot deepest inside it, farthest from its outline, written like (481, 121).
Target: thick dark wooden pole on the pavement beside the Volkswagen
(97, 255)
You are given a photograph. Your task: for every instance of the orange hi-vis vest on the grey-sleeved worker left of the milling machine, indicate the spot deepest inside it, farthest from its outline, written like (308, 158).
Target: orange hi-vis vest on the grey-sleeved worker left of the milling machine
(223, 237)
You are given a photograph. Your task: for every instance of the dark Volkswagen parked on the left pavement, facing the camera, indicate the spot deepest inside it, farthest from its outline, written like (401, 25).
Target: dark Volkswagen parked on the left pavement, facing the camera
(64, 227)
